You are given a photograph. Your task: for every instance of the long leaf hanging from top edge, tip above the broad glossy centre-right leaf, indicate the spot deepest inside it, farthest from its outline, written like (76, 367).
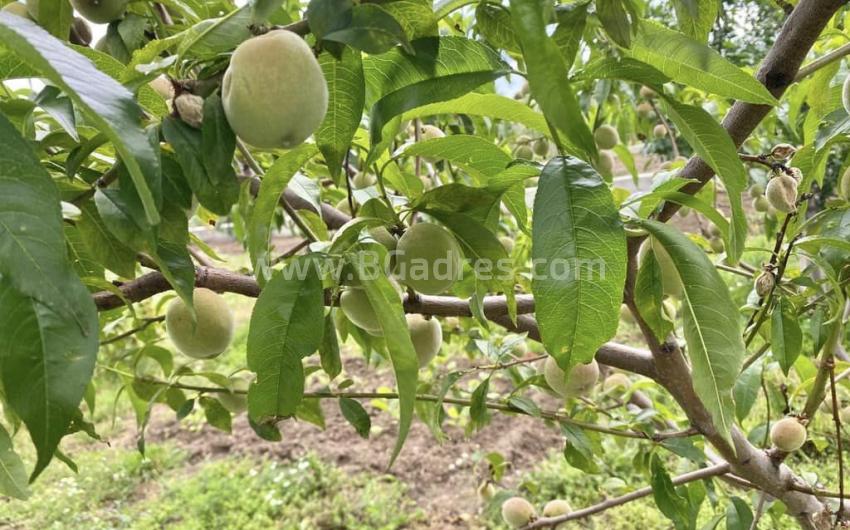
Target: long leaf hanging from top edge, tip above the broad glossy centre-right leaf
(547, 76)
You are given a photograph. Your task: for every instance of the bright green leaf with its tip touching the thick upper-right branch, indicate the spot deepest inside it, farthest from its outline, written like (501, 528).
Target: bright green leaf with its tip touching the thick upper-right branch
(694, 64)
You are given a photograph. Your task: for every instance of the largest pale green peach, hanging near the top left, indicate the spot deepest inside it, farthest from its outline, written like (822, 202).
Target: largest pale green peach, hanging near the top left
(274, 92)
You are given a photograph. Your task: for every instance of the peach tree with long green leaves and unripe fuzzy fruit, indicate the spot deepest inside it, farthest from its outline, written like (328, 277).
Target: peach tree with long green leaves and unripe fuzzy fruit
(436, 161)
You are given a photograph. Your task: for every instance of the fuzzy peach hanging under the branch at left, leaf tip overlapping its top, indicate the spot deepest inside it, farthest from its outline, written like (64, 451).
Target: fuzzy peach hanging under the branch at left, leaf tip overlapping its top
(209, 334)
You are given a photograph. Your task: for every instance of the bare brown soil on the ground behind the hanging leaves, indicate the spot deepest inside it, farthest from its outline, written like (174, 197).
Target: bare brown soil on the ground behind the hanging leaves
(442, 477)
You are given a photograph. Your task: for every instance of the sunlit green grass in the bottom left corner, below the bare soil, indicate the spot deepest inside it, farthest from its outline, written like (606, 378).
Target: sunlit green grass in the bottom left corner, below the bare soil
(119, 489)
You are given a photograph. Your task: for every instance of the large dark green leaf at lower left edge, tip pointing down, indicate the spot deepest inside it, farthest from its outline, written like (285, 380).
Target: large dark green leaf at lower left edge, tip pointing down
(46, 361)
